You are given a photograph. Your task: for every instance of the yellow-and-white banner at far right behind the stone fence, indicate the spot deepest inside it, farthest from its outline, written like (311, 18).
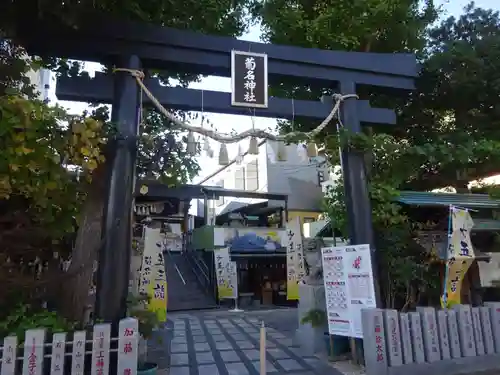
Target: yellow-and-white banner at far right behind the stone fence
(460, 256)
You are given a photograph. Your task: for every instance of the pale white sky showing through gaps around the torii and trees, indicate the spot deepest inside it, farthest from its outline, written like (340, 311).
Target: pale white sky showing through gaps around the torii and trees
(240, 123)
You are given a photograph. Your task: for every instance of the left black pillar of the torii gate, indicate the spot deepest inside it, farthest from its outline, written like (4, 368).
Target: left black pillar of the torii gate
(114, 257)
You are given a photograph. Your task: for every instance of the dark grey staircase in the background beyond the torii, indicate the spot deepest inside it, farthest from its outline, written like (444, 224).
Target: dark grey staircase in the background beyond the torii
(185, 291)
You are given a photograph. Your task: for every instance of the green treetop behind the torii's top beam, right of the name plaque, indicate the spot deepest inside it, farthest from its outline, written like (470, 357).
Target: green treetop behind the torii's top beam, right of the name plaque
(362, 26)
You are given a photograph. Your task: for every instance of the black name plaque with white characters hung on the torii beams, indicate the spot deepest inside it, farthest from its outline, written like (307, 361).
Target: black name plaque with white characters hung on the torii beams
(249, 79)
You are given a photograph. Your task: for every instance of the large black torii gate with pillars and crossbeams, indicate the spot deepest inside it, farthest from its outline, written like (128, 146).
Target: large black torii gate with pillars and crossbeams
(147, 47)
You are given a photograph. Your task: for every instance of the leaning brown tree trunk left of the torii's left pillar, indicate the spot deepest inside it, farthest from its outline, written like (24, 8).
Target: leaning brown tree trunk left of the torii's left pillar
(76, 299)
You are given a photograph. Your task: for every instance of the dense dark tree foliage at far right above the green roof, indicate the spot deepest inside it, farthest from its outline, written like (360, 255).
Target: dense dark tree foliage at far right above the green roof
(454, 116)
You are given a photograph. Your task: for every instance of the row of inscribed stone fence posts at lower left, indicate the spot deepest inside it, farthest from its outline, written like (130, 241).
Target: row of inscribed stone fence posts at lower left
(35, 350)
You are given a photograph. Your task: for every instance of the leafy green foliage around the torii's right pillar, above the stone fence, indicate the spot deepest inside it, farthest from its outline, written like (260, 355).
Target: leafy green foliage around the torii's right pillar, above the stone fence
(407, 272)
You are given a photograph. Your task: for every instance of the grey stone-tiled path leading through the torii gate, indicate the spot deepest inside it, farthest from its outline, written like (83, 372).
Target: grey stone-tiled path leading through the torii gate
(229, 345)
